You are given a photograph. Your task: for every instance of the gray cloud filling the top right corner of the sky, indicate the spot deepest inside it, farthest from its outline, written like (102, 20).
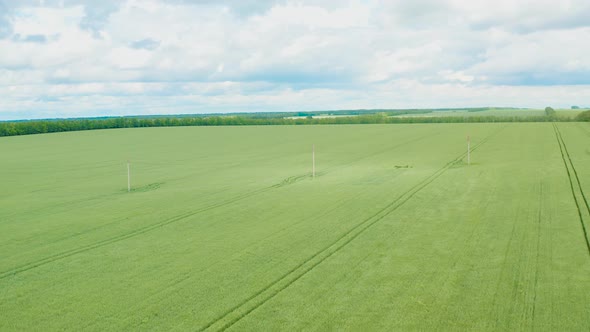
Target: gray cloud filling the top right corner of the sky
(521, 16)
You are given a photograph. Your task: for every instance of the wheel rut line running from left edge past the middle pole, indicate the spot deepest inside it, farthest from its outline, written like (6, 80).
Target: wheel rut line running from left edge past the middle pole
(102, 243)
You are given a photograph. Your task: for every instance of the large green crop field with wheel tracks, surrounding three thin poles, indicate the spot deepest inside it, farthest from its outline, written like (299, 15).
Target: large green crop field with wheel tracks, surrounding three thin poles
(226, 229)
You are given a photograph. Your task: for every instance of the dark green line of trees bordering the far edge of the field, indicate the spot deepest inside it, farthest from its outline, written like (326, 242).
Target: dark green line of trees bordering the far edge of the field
(52, 126)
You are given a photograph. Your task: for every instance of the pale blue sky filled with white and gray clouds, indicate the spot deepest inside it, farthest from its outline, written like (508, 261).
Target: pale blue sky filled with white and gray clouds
(73, 58)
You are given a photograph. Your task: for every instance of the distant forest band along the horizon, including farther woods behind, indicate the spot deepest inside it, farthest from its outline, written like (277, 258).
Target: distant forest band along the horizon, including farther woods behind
(260, 119)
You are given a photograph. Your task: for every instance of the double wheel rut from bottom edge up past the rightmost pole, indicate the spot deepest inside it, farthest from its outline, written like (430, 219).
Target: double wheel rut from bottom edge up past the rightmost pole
(325, 253)
